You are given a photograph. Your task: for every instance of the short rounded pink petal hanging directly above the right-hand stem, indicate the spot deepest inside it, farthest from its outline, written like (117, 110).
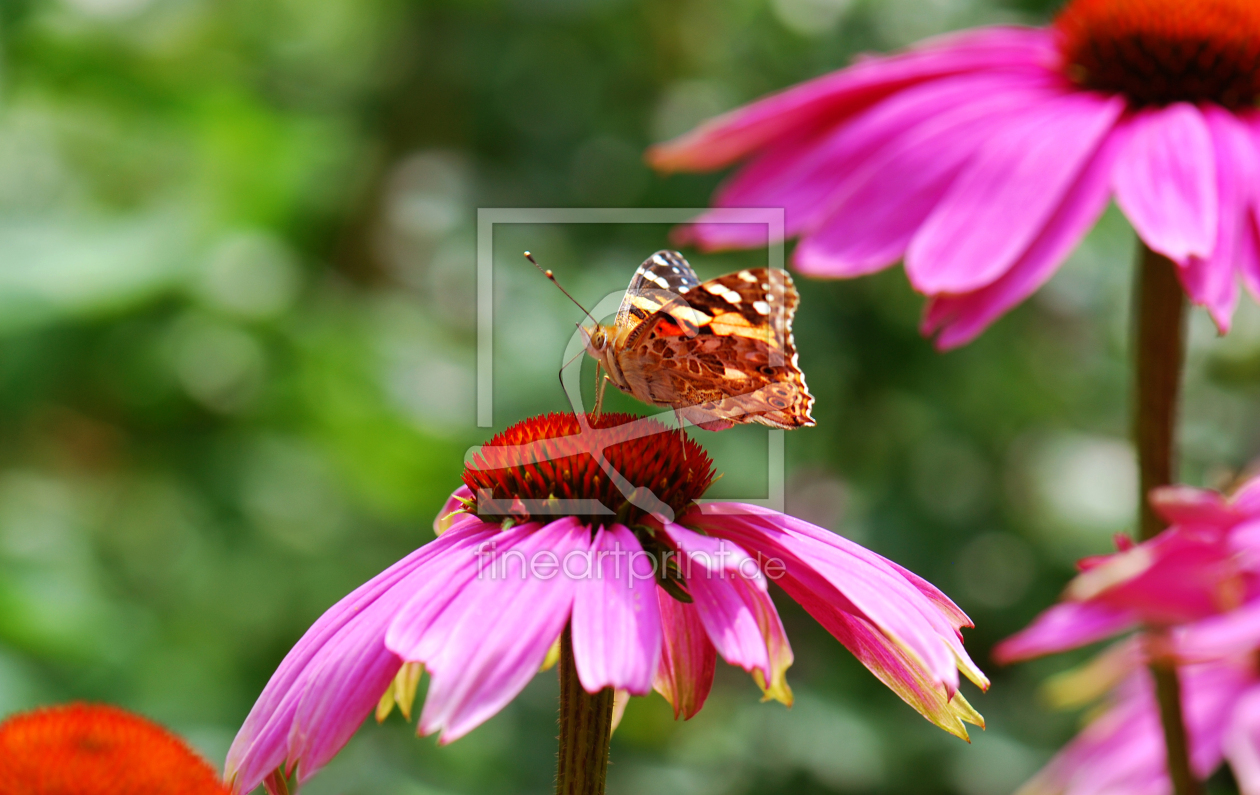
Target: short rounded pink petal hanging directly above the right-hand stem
(1166, 182)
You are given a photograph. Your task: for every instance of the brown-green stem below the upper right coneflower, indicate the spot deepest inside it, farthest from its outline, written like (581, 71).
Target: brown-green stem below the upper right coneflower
(1160, 347)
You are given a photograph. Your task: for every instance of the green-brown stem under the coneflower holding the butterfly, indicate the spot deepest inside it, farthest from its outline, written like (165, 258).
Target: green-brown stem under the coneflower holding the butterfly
(585, 730)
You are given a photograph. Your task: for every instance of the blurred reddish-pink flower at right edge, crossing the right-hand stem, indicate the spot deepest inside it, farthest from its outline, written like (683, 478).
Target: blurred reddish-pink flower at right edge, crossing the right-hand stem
(1206, 563)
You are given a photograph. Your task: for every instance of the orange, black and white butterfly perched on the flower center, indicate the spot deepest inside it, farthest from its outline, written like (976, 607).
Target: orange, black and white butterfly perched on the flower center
(720, 353)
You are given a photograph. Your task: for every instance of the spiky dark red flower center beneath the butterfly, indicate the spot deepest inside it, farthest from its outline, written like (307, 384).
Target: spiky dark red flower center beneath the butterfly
(612, 468)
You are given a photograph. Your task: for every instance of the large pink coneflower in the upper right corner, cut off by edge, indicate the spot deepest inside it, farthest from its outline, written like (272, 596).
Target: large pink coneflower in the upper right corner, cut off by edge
(982, 158)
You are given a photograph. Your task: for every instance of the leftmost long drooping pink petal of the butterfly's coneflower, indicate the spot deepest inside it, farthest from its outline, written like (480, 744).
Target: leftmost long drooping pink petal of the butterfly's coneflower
(312, 666)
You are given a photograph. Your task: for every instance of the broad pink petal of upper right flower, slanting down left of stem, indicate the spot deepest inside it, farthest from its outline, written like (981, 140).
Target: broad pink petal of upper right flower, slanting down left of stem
(1002, 202)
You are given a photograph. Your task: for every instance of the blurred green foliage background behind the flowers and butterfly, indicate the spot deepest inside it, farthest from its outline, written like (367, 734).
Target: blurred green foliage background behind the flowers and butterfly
(238, 366)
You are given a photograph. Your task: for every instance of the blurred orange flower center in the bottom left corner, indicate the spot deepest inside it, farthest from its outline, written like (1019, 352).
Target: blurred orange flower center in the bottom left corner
(99, 750)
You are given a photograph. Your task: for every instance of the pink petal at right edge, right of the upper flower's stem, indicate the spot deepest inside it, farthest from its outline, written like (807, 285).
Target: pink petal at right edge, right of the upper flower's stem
(1213, 282)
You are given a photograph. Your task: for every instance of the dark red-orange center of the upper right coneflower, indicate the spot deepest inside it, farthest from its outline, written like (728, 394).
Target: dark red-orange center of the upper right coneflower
(1157, 52)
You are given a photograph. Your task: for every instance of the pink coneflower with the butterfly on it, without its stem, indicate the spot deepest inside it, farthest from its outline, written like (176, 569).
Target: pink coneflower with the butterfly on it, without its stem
(589, 530)
